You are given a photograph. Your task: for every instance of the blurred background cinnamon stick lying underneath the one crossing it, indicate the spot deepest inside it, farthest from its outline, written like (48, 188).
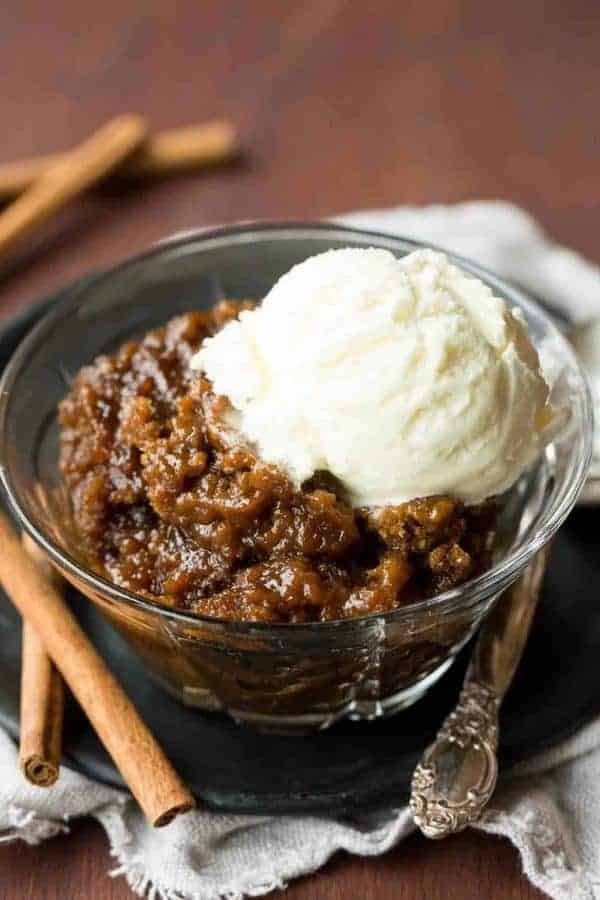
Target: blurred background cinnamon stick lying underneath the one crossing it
(164, 153)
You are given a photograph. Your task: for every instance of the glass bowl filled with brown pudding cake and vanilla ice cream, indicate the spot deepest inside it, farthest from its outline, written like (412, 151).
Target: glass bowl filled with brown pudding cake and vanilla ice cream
(298, 509)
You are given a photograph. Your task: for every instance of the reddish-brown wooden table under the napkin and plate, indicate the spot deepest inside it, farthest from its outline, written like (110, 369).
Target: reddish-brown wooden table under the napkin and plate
(340, 105)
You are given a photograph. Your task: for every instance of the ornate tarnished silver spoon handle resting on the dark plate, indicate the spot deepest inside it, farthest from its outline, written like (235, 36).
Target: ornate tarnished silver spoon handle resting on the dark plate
(457, 774)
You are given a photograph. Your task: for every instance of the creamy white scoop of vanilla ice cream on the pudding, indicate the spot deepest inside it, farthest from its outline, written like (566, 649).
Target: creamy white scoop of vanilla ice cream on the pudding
(402, 377)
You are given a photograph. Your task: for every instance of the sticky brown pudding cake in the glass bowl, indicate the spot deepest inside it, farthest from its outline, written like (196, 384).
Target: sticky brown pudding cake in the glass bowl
(166, 505)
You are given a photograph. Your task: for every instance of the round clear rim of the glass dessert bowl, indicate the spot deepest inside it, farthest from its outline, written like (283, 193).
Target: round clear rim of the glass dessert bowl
(472, 592)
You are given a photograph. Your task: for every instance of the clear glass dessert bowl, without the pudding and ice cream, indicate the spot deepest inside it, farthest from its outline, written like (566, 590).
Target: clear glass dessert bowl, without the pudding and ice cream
(280, 677)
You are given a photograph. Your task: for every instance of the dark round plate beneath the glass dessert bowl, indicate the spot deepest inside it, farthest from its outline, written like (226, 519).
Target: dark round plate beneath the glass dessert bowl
(353, 765)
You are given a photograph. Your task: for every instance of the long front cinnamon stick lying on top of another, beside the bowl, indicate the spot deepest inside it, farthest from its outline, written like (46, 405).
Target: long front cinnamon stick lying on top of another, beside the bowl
(143, 765)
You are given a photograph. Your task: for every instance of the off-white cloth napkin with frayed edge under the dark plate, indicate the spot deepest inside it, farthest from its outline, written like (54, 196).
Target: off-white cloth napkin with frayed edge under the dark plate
(548, 807)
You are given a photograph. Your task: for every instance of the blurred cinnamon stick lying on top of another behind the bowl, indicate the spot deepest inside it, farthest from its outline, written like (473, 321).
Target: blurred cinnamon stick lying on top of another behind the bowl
(73, 174)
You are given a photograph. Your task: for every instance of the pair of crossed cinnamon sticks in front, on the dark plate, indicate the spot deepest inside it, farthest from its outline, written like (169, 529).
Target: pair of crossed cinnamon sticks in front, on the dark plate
(52, 633)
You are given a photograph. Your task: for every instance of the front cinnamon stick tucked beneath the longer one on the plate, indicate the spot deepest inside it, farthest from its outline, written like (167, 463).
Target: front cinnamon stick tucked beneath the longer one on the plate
(42, 697)
